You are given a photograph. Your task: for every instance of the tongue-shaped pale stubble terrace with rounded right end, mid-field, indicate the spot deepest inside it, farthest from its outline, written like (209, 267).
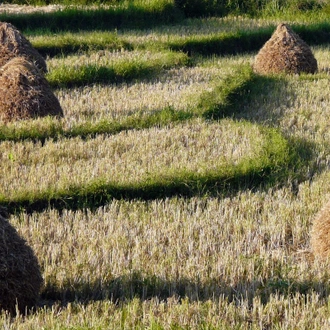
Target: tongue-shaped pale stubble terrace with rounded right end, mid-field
(128, 157)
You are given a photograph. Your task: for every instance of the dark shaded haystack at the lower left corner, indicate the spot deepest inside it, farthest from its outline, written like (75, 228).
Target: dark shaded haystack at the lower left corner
(20, 276)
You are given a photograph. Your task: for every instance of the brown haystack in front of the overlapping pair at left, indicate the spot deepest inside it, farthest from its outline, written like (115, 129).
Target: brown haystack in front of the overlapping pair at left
(25, 93)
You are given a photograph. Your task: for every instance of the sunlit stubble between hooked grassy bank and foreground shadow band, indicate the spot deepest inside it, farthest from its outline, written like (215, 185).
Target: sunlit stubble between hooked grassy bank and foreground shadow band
(174, 240)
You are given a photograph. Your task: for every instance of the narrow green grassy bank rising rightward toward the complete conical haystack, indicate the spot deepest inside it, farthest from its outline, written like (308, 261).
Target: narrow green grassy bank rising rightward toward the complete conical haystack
(212, 105)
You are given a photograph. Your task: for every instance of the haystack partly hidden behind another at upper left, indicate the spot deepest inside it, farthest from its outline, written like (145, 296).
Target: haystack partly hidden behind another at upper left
(14, 44)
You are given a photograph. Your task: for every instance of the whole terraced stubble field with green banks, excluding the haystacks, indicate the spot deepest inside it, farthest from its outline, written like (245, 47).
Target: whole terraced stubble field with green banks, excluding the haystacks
(178, 190)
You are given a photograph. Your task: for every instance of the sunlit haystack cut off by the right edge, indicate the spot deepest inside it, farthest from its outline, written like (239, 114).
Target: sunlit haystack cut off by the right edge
(320, 234)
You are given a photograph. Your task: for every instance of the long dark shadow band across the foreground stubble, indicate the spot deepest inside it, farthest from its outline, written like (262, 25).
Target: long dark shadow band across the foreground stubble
(136, 285)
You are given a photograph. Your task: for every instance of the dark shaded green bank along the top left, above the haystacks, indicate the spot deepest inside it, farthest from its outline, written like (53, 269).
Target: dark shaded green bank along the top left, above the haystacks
(74, 19)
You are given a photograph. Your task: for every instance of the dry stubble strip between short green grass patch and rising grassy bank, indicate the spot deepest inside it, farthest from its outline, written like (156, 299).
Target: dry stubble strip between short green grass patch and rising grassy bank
(178, 88)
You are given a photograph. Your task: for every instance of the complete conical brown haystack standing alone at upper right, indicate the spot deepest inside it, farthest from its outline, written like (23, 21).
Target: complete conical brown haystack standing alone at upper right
(285, 52)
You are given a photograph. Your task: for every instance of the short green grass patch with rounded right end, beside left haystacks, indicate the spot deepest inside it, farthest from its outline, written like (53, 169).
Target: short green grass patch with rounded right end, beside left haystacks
(134, 66)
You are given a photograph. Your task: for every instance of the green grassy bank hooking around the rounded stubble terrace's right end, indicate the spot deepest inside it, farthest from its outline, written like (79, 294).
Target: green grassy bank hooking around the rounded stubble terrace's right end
(272, 164)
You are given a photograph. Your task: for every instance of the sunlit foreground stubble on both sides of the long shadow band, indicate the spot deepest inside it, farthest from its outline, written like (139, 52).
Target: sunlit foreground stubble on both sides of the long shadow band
(223, 248)
